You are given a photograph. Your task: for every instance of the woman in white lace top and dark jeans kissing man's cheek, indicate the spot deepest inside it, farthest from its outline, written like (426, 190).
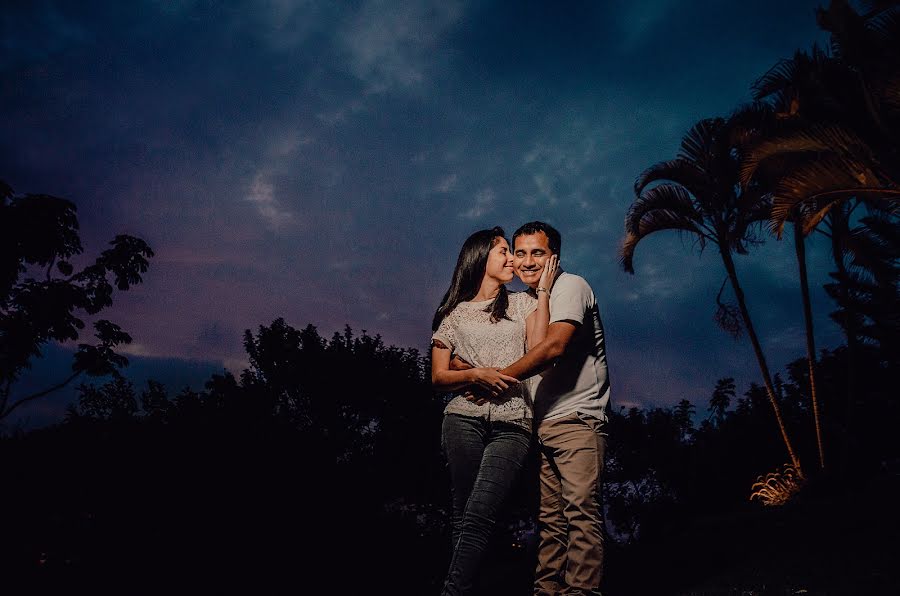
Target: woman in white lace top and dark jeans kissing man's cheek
(485, 445)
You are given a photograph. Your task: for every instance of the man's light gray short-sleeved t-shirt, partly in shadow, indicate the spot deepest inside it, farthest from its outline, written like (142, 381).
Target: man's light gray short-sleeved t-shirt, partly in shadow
(578, 381)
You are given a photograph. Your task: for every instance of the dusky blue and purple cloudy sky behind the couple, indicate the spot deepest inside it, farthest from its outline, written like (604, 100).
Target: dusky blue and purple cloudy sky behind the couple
(324, 161)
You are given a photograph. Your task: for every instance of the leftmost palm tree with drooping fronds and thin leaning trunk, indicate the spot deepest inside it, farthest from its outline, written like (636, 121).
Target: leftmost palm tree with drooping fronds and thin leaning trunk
(699, 194)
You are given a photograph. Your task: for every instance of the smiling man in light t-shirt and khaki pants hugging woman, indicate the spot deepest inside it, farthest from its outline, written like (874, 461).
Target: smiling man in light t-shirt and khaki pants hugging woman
(571, 398)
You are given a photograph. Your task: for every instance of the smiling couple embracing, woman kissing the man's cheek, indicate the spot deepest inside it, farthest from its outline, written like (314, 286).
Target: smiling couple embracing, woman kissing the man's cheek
(523, 362)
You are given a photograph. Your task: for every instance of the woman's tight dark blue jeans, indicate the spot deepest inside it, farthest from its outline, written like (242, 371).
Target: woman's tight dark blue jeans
(485, 459)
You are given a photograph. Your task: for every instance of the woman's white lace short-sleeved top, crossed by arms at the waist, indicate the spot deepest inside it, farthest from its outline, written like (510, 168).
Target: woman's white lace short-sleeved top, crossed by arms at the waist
(470, 334)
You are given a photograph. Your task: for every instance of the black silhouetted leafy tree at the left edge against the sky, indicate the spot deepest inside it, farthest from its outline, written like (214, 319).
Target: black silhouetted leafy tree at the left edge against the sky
(42, 296)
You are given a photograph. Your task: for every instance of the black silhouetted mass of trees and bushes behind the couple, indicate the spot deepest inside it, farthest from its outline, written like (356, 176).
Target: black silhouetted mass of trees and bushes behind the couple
(320, 469)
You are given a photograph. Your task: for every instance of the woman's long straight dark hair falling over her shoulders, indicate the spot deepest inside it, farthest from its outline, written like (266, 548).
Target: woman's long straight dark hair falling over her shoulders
(467, 276)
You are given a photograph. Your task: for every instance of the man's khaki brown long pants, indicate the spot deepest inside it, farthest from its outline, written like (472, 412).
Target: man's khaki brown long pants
(570, 555)
